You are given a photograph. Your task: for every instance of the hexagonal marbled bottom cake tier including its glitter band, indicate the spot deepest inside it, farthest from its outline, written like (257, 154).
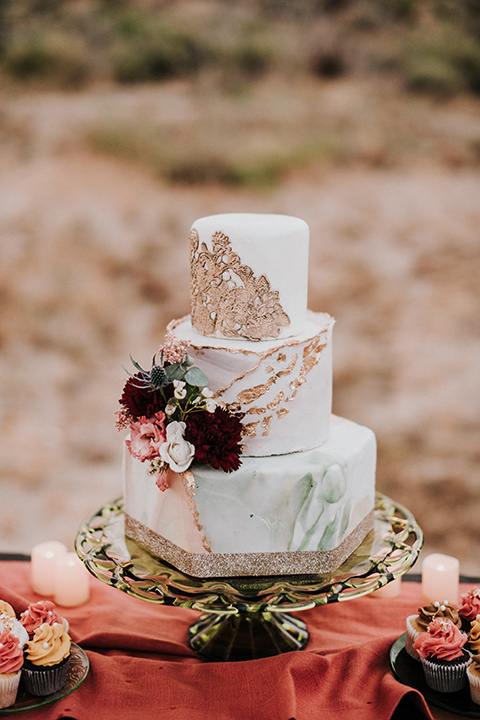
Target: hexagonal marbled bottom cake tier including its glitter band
(298, 513)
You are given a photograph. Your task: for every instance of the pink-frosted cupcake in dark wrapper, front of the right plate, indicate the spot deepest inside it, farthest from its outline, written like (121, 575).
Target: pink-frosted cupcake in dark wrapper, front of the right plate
(443, 656)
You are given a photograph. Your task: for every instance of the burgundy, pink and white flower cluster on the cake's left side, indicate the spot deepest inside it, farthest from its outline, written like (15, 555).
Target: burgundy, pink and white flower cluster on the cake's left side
(173, 418)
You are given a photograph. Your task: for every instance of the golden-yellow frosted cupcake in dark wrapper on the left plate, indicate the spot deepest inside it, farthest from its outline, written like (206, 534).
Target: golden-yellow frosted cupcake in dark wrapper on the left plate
(46, 659)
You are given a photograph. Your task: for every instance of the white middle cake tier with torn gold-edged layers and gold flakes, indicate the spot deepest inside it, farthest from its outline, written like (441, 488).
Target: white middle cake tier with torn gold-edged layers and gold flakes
(283, 387)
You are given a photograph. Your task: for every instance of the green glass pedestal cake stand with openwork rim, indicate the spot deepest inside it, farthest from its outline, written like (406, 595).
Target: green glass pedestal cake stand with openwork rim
(246, 618)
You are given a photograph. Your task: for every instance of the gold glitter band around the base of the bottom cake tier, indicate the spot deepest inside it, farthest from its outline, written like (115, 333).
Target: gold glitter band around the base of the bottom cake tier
(205, 565)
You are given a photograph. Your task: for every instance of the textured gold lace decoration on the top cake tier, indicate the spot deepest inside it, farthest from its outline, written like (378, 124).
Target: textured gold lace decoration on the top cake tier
(227, 298)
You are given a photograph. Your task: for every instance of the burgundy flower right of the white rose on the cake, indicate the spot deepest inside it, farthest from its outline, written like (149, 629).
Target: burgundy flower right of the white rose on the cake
(217, 437)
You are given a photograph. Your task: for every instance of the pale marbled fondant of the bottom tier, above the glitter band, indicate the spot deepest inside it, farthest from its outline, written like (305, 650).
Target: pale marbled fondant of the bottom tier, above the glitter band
(302, 501)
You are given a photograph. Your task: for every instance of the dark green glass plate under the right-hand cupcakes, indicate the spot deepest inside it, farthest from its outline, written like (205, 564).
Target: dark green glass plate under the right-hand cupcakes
(409, 672)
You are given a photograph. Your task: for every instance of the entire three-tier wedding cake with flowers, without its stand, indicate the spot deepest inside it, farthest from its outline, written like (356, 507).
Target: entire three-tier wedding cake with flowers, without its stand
(234, 464)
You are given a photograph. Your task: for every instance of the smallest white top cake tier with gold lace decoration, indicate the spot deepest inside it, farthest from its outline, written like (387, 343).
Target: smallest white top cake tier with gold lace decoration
(249, 276)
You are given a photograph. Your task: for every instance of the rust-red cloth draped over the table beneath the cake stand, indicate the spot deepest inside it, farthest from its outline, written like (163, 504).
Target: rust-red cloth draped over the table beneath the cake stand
(141, 665)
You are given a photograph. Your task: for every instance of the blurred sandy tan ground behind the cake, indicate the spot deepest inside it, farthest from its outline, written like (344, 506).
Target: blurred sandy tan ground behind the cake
(94, 264)
